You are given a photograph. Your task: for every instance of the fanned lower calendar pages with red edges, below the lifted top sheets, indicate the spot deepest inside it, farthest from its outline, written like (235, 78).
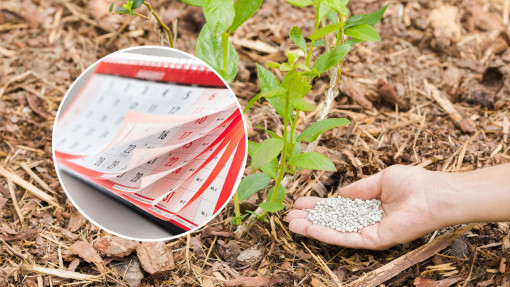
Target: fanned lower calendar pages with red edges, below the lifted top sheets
(189, 196)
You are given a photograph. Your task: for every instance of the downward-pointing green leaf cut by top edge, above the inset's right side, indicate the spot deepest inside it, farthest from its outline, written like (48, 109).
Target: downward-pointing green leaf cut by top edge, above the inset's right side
(219, 14)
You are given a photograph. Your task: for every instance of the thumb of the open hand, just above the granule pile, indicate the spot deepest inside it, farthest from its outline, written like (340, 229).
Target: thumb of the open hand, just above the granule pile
(364, 189)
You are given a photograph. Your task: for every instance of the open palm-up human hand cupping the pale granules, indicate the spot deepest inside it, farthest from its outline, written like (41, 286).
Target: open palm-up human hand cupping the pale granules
(410, 196)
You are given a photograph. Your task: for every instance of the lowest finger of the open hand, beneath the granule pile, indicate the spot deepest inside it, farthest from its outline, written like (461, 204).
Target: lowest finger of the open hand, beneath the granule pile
(331, 236)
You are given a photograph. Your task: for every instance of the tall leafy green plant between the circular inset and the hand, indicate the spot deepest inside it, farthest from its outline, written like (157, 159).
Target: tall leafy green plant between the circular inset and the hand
(281, 155)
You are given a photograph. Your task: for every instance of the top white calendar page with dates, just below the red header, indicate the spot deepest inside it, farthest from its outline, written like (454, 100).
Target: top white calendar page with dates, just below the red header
(98, 116)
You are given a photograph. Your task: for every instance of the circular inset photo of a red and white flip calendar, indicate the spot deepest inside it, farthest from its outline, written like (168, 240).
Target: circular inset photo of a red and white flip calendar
(149, 143)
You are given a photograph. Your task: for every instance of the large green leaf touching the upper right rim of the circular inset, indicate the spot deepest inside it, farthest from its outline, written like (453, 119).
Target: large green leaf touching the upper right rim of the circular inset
(209, 49)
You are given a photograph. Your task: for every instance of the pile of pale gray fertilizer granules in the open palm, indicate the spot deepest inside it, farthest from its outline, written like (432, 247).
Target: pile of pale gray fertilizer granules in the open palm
(346, 215)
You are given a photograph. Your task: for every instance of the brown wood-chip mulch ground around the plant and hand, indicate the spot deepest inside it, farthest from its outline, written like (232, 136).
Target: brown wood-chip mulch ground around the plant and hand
(458, 47)
